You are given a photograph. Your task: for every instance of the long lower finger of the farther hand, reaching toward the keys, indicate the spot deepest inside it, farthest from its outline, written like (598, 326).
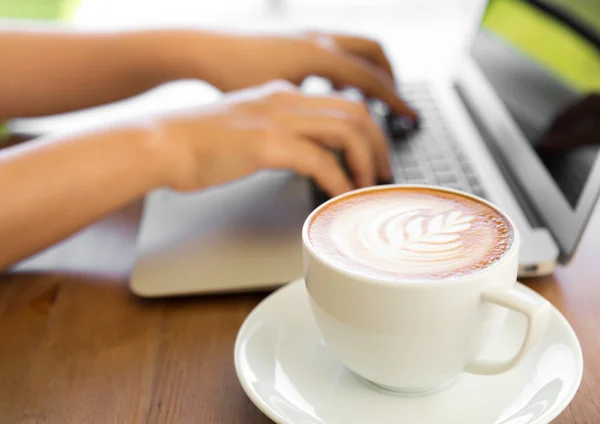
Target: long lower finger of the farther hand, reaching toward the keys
(344, 70)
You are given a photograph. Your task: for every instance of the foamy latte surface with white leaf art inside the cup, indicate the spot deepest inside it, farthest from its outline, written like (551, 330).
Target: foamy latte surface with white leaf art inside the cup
(410, 234)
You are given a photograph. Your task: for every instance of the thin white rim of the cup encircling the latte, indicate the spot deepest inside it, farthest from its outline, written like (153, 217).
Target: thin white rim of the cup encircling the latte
(416, 281)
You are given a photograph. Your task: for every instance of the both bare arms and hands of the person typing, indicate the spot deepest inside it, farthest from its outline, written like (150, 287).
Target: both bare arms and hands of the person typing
(56, 185)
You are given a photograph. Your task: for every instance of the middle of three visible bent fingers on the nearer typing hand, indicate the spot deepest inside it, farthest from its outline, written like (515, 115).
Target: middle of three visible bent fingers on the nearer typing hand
(338, 133)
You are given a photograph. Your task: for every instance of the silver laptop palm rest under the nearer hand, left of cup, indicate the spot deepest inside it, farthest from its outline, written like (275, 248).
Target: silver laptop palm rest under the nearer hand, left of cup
(240, 236)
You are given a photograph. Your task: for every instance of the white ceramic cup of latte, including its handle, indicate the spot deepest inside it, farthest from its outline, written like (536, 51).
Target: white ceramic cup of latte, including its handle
(407, 284)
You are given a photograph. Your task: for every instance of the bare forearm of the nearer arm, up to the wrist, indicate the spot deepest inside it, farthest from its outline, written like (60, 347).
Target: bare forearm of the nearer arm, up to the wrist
(51, 188)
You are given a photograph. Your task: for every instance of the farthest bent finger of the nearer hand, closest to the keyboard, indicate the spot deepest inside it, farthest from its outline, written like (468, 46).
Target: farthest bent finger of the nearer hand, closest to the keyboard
(359, 113)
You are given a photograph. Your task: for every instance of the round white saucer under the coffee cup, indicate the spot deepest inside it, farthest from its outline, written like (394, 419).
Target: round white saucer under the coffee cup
(287, 371)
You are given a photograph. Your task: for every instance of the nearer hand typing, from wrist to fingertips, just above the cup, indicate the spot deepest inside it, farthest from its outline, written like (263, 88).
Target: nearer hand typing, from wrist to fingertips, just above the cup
(274, 126)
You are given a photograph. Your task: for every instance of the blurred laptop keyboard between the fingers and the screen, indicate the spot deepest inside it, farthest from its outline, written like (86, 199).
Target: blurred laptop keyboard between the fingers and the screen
(431, 155)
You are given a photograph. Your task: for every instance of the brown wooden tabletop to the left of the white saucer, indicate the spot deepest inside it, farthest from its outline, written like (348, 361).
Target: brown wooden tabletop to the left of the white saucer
(81, 349)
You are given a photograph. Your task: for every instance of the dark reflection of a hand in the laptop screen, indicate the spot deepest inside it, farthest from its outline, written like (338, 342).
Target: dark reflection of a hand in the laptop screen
(577, 126)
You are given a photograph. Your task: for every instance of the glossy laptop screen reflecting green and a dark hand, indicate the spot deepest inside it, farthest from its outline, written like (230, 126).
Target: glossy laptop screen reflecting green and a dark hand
(542, 58)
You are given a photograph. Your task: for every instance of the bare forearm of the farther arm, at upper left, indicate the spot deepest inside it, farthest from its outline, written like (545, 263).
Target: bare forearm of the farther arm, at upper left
(44, 72)
